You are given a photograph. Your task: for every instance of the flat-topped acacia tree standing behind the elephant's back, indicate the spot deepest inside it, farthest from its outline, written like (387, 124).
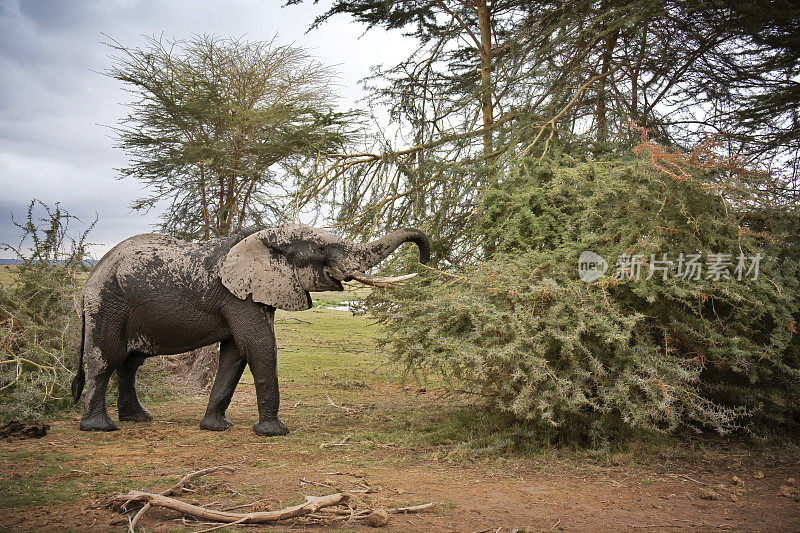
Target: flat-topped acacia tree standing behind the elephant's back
(213, 122)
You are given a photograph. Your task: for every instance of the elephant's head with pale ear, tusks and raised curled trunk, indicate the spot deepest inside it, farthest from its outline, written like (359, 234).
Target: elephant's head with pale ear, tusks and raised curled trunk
(280, 266)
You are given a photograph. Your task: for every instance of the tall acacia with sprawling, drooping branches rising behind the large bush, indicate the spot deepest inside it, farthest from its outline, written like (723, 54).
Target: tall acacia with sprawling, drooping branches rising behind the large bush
(512, 77)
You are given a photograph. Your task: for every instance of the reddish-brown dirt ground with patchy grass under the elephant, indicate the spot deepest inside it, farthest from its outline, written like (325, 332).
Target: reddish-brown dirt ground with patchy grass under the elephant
(352, 427)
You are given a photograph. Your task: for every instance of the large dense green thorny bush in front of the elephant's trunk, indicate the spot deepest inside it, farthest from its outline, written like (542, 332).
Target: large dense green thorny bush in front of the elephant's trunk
(589, 359)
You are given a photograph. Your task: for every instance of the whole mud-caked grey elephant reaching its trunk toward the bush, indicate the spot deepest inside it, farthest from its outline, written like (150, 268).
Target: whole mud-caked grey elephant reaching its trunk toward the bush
(157, 295)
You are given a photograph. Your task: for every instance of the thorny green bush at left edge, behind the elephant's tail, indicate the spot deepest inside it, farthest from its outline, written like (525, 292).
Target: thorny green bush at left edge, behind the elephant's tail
(39, 328)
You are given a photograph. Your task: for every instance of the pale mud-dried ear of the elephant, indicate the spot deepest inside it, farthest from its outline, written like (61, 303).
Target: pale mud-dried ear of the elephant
(257, 265)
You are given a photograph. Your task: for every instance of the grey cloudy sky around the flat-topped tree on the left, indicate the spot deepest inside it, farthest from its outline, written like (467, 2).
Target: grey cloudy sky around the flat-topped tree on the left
(55, 106)
